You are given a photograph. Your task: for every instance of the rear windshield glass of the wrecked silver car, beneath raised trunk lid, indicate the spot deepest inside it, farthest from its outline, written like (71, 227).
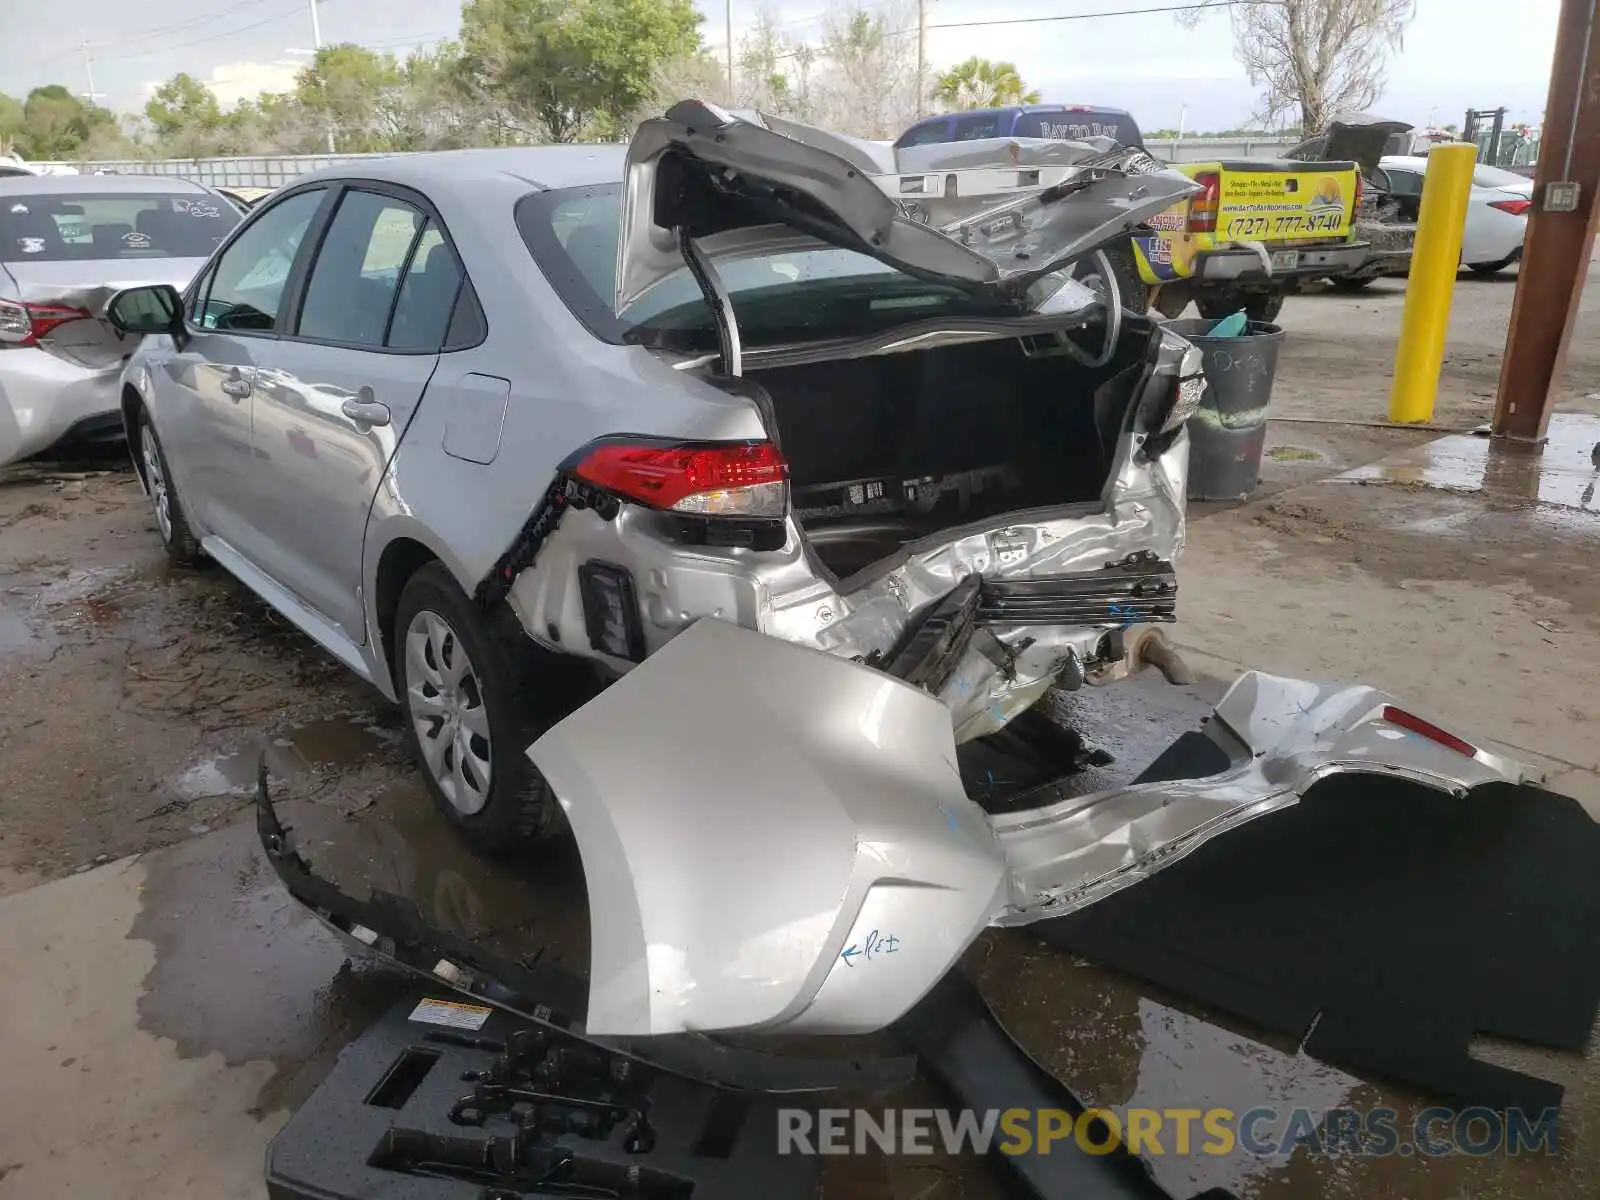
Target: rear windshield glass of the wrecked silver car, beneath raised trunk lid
(801, 295)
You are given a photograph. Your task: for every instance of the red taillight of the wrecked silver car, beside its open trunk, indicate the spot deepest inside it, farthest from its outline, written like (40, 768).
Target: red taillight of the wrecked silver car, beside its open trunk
(713, 479)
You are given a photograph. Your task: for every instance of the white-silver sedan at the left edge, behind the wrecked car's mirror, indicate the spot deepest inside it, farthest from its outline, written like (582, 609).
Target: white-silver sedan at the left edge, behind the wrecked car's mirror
(66, 246)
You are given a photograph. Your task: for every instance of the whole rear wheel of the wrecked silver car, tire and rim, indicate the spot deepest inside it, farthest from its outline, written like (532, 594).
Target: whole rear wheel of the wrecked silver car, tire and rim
(468, 687)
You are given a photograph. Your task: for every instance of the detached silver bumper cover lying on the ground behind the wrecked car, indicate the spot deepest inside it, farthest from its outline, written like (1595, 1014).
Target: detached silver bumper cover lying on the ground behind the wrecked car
(778, 839)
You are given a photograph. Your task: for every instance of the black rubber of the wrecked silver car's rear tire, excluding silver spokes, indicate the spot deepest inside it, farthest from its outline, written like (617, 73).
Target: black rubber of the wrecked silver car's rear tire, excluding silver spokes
(519, 812)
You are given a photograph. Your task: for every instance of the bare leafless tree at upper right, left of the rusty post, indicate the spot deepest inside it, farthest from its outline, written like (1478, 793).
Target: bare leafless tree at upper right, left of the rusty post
(1316, 58)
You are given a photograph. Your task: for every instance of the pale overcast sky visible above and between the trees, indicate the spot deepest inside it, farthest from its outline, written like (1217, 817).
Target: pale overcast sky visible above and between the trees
(1458, 54)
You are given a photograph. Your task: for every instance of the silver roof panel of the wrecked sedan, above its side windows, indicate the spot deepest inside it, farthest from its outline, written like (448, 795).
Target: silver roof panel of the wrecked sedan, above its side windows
(545, 167)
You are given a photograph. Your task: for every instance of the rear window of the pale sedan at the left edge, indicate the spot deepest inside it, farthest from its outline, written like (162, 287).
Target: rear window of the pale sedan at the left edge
(68, 228)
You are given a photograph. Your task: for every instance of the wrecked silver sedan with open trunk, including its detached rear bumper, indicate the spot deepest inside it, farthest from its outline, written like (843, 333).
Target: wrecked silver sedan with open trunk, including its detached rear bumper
(823, 470)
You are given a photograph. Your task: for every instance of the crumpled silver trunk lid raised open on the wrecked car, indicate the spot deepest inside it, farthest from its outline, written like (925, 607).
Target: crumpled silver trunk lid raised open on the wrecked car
(748, 185)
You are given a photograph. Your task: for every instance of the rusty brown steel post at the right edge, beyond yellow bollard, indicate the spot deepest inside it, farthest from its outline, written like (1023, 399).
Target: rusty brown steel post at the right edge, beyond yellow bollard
(1561, 231)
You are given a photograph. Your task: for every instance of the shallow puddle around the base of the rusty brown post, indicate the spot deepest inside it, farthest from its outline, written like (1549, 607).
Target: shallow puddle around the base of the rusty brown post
(1562, 474)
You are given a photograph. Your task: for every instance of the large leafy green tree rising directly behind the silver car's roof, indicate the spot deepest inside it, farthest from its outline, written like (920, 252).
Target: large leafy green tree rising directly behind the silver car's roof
(575, 68)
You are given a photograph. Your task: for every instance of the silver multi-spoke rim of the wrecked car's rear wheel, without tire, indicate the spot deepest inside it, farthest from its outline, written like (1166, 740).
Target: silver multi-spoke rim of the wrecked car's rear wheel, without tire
(447, 711)
